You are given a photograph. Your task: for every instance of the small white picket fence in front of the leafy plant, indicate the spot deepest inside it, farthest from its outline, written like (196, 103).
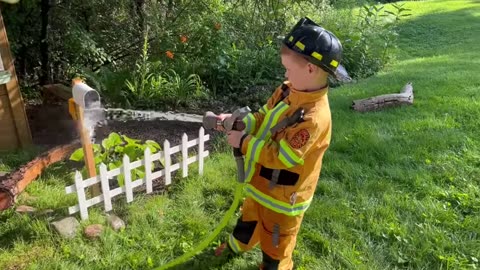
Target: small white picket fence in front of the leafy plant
(104, 176)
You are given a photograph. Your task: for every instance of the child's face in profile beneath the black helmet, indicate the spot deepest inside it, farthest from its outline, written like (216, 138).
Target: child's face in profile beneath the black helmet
(297, 71)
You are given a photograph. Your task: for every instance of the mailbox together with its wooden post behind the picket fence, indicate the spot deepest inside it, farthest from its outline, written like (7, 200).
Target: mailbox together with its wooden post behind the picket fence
(85, 97)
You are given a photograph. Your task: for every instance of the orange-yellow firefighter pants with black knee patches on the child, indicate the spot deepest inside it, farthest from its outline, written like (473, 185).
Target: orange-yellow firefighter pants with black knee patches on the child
(276, 233)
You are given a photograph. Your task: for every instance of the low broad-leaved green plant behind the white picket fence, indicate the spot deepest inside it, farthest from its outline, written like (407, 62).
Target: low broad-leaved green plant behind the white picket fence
(112, 150)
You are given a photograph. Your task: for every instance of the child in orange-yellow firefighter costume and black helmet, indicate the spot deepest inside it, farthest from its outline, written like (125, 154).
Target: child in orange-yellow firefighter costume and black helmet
(284, 143)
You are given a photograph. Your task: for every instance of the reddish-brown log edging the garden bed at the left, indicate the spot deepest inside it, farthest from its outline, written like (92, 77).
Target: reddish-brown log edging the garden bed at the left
(12, 184)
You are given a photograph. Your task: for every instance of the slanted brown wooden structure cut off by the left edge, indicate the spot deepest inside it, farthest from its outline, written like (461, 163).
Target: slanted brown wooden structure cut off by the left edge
(14, 128)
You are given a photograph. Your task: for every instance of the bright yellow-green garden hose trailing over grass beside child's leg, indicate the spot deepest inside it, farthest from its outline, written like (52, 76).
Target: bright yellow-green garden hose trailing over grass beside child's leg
(231, 211)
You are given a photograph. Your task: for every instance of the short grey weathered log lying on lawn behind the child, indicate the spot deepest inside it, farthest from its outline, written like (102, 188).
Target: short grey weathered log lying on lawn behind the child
(405, 97)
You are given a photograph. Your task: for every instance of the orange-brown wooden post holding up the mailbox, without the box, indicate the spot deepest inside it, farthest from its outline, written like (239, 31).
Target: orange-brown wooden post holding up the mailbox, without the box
(87, 149)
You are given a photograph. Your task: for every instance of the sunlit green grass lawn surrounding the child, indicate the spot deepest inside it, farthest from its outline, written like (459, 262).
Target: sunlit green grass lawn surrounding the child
(400, 188)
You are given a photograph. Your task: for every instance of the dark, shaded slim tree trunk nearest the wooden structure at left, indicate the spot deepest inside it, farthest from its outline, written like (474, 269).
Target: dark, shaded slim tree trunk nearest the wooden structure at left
(45, 70)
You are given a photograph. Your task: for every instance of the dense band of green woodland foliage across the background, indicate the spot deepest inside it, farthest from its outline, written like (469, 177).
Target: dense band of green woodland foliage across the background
(175, 54)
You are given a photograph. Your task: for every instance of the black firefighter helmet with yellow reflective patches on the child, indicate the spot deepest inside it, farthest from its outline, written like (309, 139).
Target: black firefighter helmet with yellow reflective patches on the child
(320, 46)
